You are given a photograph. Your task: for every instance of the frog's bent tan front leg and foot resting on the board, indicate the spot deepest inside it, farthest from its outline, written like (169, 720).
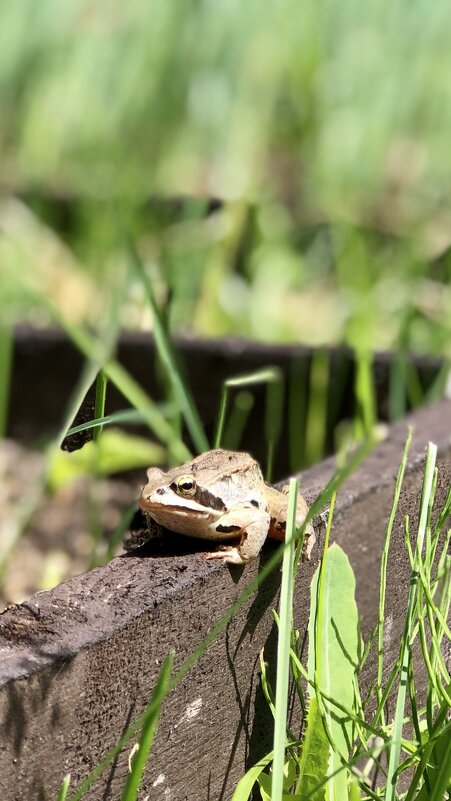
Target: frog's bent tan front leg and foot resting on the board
(251, 525)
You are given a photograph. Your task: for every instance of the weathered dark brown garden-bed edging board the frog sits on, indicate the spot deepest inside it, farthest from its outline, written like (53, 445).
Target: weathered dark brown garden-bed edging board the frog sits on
(78, 663)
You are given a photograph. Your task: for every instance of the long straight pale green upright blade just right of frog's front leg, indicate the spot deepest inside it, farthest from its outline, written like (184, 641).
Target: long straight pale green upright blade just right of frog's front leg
(283, 647)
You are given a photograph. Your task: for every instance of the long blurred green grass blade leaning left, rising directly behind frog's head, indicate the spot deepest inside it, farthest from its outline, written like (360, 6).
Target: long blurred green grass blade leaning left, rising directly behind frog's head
(165, 348)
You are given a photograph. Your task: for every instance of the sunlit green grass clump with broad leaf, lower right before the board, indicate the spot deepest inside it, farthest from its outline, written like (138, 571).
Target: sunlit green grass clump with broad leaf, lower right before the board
(341, 753)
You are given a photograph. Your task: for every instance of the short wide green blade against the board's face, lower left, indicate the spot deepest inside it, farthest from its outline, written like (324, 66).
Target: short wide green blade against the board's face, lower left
(150, 721)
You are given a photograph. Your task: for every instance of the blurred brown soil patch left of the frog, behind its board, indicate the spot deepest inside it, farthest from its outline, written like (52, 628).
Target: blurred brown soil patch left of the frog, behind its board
(68, 532)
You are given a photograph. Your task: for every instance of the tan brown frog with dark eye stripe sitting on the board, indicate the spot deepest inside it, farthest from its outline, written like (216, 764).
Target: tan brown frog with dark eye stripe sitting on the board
(221, 495)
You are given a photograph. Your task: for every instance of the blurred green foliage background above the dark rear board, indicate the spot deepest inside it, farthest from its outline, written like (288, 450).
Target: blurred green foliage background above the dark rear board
(282, 167)
